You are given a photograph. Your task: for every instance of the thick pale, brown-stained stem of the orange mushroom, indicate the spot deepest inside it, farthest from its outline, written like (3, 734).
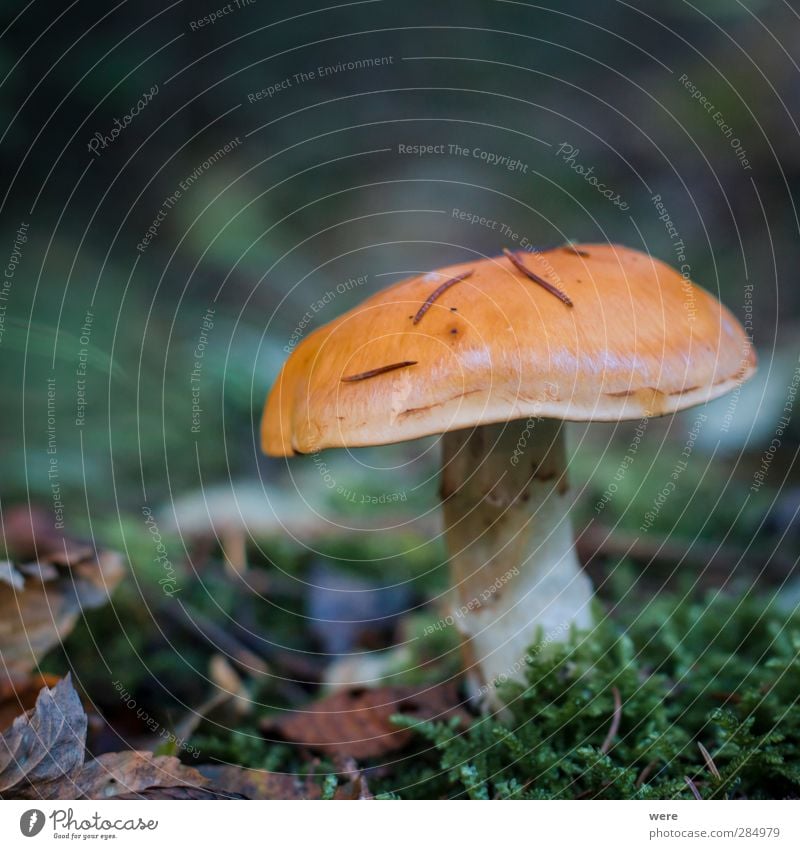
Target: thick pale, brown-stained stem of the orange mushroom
(517, 585)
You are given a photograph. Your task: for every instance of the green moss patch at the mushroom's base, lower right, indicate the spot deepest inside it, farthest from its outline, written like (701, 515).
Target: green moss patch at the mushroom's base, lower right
(722, 674)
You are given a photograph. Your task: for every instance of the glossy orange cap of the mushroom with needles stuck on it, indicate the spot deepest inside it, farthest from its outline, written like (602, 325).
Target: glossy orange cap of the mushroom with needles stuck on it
(639, 340)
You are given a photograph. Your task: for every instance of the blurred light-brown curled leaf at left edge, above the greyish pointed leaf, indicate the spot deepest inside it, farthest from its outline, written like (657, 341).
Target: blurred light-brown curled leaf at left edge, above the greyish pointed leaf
(40, 603)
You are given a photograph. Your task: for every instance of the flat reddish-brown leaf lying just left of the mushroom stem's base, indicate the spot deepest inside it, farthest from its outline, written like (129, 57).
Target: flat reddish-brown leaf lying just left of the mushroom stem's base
(356, 723)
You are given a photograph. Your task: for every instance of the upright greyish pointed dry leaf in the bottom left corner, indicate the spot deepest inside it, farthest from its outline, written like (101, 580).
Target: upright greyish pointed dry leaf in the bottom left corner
(45, 745)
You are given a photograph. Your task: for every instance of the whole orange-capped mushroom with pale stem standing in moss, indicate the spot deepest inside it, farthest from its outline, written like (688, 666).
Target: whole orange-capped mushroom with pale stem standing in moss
(495, 355)
